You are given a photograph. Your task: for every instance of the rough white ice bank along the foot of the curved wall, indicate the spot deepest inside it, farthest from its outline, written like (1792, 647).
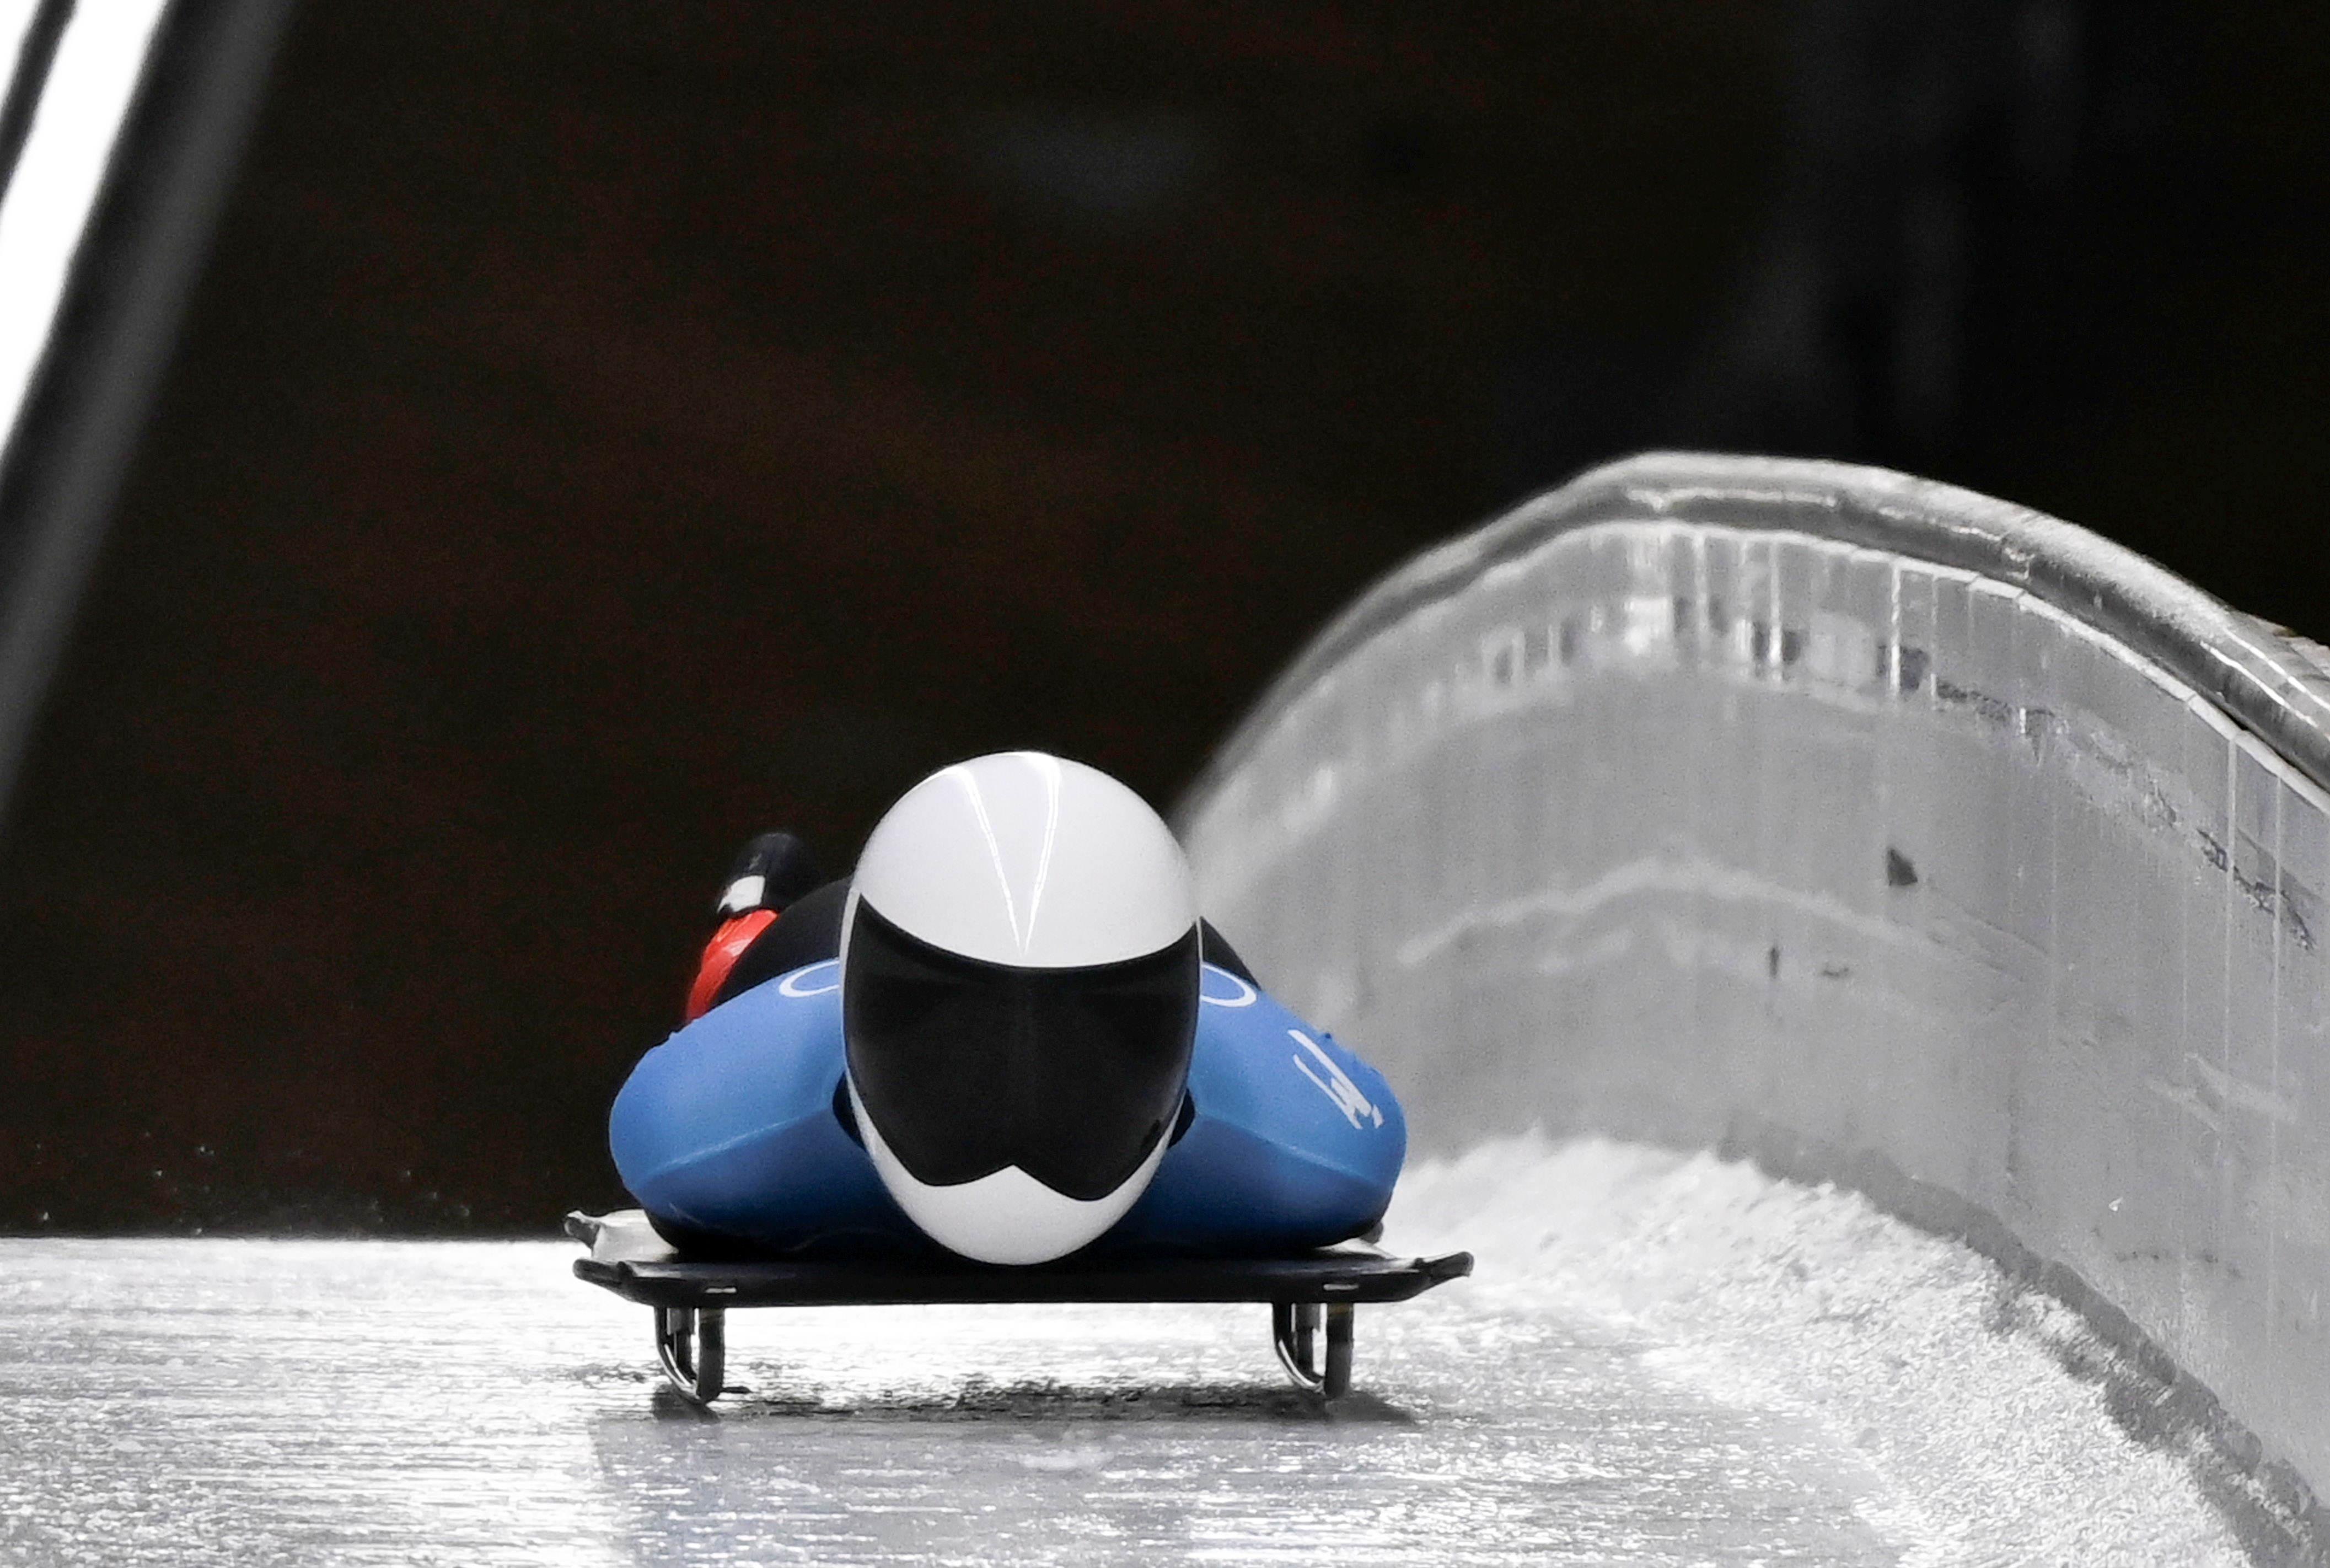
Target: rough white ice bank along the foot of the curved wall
(1807, 1301)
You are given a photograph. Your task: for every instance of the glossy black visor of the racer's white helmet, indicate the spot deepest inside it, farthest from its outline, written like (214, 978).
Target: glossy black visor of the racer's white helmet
(968, 1068)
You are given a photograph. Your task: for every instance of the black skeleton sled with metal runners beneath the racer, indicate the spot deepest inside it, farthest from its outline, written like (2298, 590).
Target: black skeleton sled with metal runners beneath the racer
(1311, 1297)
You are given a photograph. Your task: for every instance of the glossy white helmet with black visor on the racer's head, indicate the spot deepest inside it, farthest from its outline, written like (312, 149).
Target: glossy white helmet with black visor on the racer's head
(1019, 996)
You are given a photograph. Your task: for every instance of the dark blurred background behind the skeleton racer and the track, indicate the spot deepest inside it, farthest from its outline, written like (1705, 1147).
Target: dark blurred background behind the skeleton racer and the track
(609, 430)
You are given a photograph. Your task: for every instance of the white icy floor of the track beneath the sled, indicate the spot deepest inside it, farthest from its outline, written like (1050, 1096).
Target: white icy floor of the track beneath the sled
(1662, 1362)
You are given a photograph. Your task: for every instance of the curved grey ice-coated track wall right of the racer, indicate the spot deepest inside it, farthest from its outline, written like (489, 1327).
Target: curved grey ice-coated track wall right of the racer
(1865, 826)
